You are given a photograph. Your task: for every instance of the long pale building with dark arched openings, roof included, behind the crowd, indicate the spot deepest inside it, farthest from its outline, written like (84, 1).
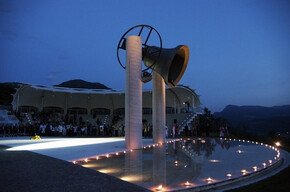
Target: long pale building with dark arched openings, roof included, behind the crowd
(100, 103)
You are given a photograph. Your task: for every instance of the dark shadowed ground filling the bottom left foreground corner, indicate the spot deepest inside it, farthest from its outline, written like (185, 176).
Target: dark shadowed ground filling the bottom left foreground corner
(27, 171)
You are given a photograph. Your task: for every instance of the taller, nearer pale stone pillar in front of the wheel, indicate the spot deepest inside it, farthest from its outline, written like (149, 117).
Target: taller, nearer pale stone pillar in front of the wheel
(133, 93)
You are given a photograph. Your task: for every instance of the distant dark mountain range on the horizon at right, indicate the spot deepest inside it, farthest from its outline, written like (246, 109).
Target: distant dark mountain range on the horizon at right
(257, 119)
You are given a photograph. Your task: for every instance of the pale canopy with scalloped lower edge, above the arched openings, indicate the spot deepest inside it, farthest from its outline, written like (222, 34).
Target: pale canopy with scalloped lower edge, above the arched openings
(39, 97)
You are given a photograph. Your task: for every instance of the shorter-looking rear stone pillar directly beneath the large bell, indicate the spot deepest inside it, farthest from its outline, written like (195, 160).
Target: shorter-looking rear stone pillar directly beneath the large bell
(158, 108)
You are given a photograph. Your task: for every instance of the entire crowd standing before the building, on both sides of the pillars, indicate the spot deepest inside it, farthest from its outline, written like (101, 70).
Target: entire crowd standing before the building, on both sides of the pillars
(59, 125)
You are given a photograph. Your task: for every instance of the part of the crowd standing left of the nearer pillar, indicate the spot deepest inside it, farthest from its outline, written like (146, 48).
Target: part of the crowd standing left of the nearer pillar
(55, 124)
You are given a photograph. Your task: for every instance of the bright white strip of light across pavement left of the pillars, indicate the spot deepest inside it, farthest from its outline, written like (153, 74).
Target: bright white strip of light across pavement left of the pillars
(62, 143)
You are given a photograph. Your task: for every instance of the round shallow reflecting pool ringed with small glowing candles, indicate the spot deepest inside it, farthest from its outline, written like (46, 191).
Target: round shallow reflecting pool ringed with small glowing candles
(185, 163)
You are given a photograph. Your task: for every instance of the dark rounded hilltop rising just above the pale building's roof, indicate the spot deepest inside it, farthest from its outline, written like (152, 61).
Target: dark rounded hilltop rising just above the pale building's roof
(78, 83)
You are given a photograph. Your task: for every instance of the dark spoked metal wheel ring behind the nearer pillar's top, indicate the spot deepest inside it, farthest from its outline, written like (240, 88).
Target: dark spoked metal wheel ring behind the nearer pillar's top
(122, 44)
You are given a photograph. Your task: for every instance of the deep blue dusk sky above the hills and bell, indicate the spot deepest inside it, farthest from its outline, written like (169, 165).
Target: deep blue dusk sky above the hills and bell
(239, 49)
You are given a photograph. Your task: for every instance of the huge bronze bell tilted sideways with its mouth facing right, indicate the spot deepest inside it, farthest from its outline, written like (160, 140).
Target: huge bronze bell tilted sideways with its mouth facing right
(169, 63)
